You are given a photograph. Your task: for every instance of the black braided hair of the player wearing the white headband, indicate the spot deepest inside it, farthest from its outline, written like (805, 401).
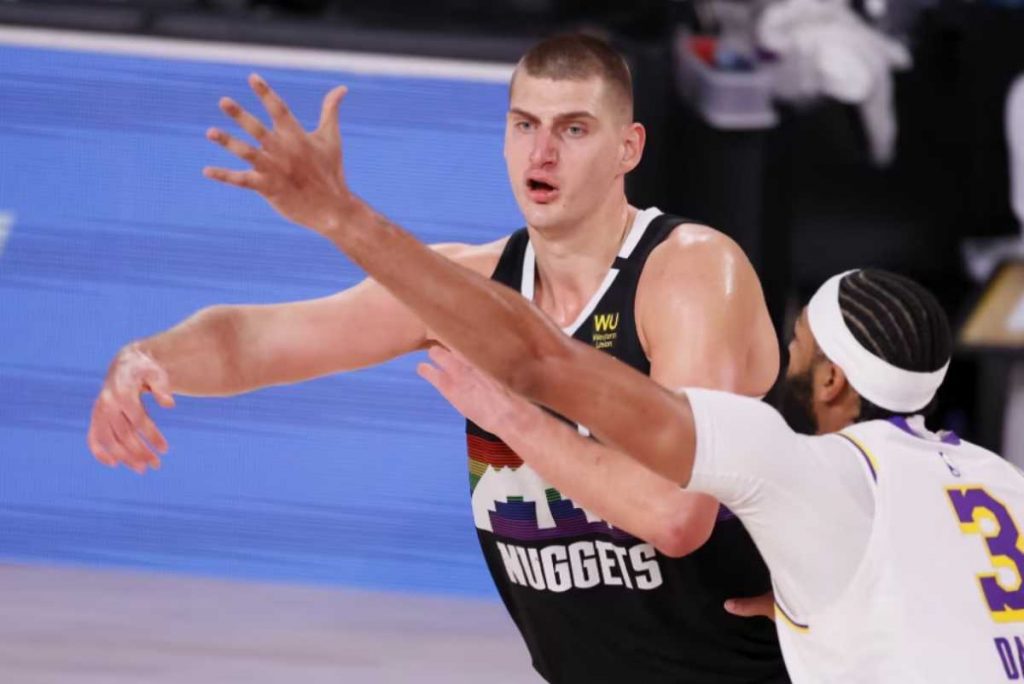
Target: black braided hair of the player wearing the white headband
(898, 321)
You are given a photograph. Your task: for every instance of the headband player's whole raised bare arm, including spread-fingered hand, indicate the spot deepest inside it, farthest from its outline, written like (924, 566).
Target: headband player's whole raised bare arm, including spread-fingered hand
(301, 176)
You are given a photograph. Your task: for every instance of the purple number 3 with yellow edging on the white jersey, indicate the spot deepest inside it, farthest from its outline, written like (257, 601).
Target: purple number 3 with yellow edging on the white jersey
(980, 514)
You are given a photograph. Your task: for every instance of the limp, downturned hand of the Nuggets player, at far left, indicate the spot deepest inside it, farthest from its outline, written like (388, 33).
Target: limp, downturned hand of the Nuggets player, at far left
(121, 431)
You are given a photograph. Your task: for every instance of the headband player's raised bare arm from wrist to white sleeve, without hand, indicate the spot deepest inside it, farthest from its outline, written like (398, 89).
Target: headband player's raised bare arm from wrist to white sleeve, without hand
(502, 333)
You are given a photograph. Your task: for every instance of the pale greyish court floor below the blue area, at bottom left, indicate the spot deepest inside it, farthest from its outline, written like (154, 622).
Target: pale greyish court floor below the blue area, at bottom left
(62, 625)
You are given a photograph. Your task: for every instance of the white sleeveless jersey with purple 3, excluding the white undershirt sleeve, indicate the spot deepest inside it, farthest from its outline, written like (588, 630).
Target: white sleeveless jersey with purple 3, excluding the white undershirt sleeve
(938, 596)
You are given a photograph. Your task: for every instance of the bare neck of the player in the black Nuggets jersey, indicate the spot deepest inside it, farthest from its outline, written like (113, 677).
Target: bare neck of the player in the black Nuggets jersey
(573, 261)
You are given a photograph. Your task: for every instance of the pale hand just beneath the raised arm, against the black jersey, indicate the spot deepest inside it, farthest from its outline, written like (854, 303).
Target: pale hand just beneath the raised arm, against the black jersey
(475, 395)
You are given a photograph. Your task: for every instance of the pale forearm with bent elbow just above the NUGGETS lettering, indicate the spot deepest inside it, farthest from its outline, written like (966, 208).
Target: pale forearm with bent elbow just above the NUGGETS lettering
(619, 490)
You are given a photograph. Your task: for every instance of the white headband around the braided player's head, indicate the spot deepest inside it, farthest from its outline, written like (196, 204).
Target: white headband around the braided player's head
(878, 381)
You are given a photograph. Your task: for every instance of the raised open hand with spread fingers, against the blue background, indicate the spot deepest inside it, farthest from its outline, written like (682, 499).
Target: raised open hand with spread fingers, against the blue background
(298, 173)
